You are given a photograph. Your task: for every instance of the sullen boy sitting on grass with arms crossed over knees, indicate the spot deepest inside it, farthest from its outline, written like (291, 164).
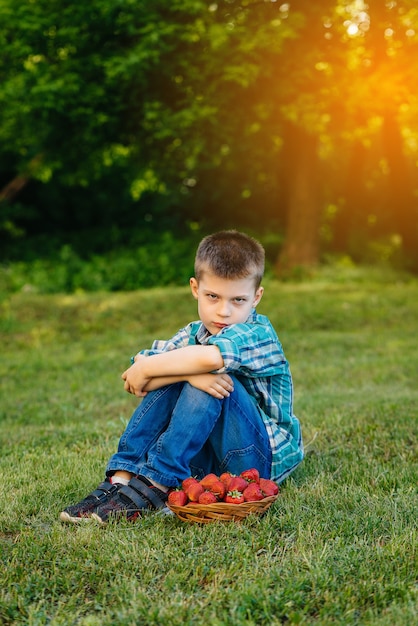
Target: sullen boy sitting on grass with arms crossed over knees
(216, 397)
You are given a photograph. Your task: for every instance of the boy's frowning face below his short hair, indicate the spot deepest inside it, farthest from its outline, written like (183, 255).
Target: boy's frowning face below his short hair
(222, 302)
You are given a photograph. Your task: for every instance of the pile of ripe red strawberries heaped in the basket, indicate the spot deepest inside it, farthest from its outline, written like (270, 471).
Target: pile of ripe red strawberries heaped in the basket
(247, 487)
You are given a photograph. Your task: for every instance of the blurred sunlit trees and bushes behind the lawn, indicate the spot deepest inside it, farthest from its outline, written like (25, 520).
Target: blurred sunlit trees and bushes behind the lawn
(130, 129)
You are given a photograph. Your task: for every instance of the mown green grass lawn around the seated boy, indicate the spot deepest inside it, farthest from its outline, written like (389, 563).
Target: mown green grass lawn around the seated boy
(338, 547)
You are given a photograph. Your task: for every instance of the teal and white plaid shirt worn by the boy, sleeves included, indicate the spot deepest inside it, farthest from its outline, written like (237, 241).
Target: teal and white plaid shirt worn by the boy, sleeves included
(253, 354)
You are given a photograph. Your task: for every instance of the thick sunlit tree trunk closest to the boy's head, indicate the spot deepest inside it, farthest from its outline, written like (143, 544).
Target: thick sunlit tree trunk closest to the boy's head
(301, 247)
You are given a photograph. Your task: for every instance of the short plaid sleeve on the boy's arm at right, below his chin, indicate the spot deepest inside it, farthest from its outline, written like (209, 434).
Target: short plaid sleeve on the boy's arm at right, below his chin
(250, 350)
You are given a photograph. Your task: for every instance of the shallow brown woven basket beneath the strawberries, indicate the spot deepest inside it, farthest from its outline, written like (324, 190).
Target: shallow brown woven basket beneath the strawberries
(220, 511)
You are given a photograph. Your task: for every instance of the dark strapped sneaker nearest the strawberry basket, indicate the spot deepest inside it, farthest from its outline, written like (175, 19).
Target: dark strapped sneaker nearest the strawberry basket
(131, 501)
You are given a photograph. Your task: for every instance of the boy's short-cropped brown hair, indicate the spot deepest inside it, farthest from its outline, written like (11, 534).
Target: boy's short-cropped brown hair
(230, 254)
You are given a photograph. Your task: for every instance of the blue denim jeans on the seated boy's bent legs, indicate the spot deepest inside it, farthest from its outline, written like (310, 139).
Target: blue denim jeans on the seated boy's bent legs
(179, 431)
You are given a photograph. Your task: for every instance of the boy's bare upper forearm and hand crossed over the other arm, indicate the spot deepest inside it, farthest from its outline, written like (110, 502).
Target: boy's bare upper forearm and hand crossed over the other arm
(177, 364)
